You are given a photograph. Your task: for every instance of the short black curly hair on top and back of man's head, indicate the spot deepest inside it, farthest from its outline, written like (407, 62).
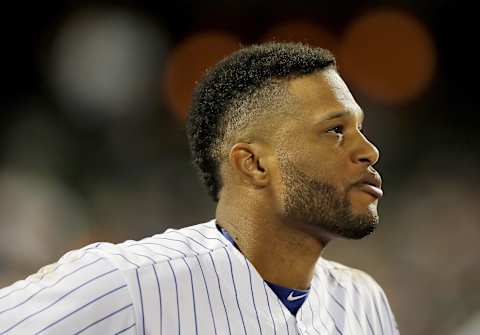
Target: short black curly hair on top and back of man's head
(236, 78)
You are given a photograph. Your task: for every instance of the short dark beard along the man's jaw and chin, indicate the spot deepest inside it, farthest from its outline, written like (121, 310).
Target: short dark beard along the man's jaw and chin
(320, 206)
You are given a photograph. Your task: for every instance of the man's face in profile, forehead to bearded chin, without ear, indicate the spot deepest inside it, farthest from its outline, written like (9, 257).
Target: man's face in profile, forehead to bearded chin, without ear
(322, 155)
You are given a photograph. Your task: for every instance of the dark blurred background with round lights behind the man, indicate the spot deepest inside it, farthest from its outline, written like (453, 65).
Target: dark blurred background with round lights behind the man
(93, 147)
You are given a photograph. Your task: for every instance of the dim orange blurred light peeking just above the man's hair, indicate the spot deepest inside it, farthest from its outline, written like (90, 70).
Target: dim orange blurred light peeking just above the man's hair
(302, 31)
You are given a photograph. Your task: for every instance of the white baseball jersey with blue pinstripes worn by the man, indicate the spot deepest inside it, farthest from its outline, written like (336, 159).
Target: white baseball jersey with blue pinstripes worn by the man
(187, 281)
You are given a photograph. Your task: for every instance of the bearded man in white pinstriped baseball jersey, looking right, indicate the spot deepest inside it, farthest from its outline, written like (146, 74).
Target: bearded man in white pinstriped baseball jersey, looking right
(278, 140)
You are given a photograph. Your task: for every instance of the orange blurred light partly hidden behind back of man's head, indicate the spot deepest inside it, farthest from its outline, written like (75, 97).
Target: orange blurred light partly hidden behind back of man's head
(188, 63)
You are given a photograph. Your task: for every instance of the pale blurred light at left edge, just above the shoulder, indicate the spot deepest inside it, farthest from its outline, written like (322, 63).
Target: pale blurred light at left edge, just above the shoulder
(39, 217)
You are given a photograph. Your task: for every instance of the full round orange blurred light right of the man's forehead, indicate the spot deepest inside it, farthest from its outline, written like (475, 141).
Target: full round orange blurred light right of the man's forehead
(388, 55)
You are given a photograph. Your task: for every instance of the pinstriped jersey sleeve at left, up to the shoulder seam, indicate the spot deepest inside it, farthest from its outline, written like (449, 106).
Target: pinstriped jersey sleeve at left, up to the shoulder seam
(70, 294)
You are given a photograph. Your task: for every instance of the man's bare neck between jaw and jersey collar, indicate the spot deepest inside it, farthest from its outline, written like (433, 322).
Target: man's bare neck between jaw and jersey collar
(282, 253)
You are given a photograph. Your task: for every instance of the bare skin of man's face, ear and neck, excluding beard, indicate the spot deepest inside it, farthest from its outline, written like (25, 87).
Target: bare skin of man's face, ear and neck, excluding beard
(283, 248)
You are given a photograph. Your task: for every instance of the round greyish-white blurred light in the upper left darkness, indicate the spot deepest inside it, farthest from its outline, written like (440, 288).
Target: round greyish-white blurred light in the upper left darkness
(105, 63)
